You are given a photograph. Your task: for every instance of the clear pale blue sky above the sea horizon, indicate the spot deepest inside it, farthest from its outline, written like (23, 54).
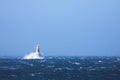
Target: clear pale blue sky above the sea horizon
(60, 27)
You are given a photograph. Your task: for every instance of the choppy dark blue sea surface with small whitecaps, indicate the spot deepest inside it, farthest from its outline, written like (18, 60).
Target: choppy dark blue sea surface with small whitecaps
(61, 68)
